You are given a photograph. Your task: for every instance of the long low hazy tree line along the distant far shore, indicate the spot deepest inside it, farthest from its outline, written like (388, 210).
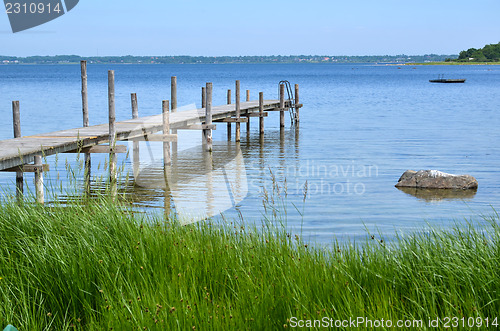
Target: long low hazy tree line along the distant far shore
(61, 59)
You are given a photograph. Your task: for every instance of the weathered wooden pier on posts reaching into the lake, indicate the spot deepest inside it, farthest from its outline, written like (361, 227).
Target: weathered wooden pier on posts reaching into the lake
(25, 154)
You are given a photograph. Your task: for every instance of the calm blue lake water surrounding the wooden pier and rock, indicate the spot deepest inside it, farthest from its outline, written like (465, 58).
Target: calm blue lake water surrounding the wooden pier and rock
(361, 127)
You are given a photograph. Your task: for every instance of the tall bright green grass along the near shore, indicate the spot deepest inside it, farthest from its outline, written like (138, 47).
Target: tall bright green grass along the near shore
(100, 266)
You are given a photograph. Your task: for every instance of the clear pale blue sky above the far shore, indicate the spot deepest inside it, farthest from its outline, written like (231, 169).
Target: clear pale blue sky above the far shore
(260, 27)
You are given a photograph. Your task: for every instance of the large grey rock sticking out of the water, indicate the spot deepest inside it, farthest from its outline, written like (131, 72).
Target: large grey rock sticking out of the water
(433, 179)
